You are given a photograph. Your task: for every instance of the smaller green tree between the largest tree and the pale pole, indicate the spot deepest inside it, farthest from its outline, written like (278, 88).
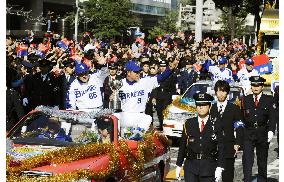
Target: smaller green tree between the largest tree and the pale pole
(165, 25)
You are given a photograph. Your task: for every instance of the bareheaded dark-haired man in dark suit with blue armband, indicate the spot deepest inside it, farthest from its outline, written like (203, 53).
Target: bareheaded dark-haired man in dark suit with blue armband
(229, 119)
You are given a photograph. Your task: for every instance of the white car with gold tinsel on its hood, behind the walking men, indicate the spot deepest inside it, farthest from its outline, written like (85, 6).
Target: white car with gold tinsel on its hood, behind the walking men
(183, 106)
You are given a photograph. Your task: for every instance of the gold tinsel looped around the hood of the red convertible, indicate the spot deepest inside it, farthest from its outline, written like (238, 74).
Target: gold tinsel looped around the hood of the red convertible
(65, 155)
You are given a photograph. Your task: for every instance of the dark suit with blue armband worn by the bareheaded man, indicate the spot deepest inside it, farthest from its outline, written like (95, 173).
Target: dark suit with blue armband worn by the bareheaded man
(225, 121)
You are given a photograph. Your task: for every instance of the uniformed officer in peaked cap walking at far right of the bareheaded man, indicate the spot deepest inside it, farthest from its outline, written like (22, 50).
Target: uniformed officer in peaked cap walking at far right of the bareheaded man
(258, 132)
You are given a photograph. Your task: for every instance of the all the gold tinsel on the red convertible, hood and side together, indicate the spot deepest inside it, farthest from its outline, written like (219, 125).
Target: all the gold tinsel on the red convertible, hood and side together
(146, 151)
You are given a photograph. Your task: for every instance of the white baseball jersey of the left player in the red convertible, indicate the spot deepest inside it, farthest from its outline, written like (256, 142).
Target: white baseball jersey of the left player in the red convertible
(87, 95)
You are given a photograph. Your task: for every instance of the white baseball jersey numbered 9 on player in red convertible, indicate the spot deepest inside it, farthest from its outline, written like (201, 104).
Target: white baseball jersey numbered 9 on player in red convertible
(134, 97)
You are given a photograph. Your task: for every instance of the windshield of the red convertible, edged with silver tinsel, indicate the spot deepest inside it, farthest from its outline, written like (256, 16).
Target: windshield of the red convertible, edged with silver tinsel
(42, 129)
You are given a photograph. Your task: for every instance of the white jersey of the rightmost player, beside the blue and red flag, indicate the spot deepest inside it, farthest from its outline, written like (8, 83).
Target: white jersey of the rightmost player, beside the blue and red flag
(244, 75)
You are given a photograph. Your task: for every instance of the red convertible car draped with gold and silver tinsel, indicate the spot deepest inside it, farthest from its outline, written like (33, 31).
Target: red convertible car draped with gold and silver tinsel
(54, 145)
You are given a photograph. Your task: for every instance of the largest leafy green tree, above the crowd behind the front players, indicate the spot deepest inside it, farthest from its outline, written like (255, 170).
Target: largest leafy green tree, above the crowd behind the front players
(108, 18)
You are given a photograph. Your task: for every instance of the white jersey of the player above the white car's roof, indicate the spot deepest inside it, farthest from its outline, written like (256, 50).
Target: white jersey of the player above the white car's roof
(217, 74)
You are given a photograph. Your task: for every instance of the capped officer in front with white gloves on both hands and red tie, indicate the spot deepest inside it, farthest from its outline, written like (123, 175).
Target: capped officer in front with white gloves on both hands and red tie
(201, 145)
